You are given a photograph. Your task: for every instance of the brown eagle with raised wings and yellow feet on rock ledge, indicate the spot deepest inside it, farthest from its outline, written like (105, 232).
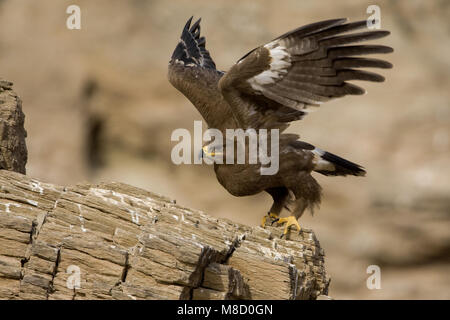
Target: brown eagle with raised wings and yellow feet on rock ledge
(270, 87)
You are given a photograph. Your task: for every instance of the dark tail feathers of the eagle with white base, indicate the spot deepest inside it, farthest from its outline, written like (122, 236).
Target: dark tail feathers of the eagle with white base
(330, 164)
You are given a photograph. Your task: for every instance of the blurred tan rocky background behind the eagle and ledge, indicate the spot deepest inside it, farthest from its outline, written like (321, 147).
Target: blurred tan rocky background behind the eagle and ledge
(99, 108)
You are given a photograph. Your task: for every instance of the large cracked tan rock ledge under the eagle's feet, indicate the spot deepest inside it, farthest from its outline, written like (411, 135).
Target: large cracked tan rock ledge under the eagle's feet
(115, 241)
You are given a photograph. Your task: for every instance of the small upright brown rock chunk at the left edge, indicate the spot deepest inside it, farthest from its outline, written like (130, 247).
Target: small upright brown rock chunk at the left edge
(13, 150)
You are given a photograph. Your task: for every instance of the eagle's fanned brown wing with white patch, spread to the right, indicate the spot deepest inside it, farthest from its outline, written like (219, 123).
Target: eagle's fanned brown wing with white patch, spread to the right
(288, 77)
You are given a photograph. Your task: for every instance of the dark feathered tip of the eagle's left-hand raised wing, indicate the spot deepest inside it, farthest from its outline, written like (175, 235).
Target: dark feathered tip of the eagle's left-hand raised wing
(191, 49)
